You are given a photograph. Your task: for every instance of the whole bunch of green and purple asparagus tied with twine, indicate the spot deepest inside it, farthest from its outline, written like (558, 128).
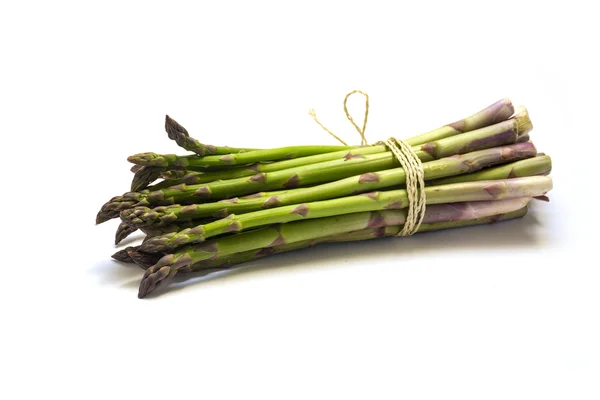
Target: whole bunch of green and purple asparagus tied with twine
(222, 206)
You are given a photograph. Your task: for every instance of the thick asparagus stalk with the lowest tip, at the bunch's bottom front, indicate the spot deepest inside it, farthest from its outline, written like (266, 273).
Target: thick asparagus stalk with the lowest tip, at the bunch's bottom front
(294, 232)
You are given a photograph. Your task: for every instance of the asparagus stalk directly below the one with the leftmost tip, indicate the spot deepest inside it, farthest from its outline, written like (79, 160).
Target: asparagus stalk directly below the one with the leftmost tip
(144, 216)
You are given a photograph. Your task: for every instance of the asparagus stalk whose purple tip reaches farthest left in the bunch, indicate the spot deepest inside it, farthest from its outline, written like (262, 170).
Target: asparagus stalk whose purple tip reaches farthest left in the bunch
(350, 163)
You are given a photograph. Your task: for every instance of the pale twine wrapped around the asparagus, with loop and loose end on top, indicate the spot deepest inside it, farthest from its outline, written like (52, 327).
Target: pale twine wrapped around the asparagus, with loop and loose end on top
(408, 159)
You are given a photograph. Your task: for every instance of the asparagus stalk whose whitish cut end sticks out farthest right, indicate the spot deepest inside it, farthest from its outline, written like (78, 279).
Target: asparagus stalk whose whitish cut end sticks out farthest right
(374, 201)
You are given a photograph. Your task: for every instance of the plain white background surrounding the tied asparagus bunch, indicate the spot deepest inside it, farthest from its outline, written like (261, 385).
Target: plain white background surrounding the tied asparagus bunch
(507, 311)
